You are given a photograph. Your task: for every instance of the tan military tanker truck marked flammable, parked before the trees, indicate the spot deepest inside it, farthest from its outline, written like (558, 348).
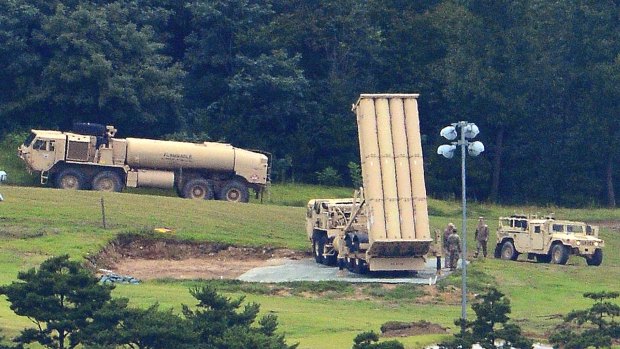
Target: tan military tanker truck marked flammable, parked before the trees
(91, 157)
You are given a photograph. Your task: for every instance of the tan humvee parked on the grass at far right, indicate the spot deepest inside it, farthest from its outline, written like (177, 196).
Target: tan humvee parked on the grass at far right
(547, 240)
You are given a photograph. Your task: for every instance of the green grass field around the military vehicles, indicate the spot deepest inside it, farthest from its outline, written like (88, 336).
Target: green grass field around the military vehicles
(36, 223)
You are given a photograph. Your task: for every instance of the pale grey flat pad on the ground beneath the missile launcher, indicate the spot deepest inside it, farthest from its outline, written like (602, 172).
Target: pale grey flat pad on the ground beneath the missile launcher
(309, 270)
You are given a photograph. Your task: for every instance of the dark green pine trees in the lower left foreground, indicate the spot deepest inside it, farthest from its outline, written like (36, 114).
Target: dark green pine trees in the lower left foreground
(71, 308)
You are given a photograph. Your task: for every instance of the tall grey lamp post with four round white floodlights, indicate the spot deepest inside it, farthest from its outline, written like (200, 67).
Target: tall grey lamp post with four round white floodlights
(468, 131)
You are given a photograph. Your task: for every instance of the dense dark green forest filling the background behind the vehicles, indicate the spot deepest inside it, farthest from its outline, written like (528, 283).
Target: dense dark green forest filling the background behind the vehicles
(540, 78)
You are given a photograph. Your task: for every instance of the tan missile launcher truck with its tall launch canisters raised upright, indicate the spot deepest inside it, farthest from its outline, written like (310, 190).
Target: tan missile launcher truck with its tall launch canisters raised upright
(385, 226)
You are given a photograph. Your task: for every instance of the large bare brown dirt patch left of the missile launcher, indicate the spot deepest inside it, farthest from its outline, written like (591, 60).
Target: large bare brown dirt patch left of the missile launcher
(152, 258)
